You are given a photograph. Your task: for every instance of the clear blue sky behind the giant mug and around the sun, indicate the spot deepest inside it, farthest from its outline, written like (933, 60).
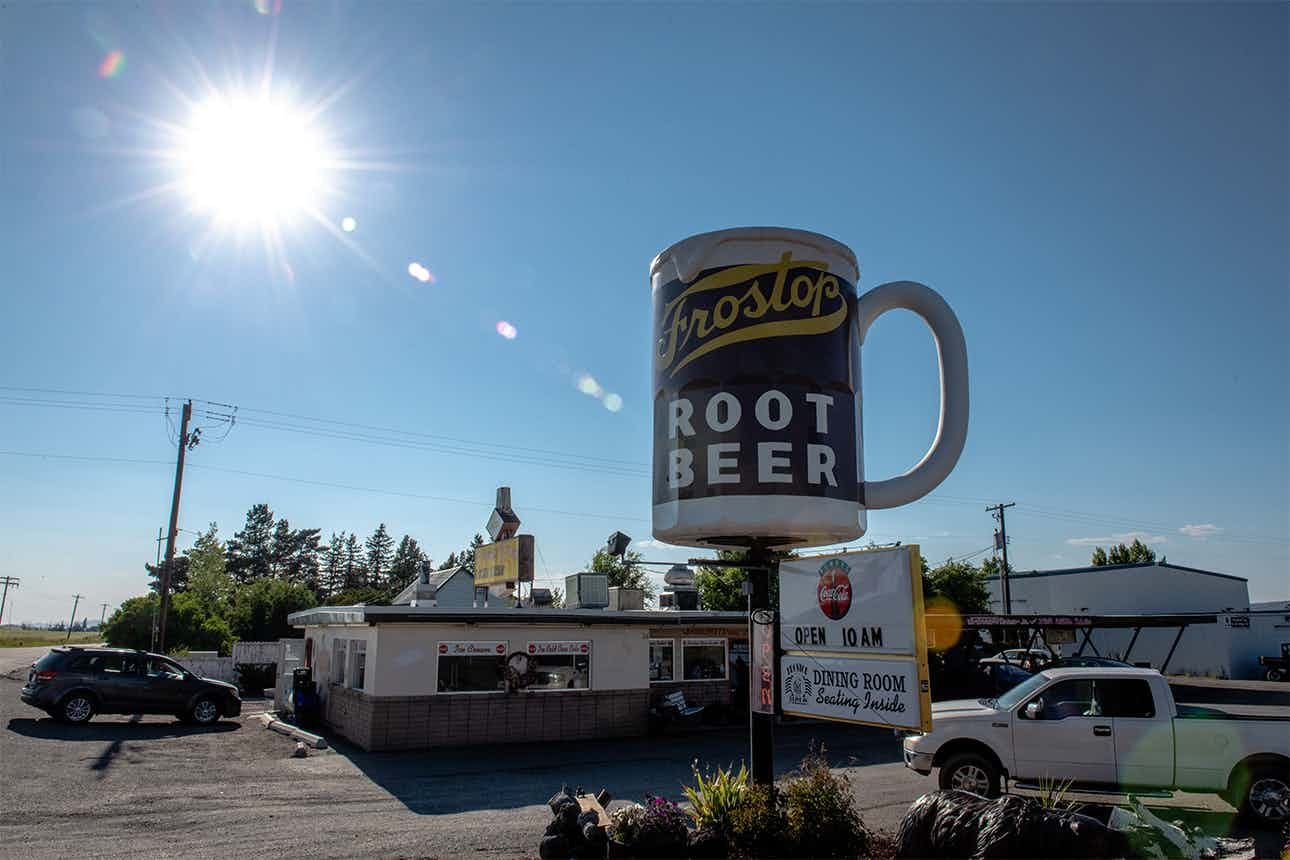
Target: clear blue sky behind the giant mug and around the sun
(1098, 191)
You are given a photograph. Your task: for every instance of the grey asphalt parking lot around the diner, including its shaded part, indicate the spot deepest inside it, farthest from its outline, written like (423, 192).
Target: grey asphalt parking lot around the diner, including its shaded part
(157, 787)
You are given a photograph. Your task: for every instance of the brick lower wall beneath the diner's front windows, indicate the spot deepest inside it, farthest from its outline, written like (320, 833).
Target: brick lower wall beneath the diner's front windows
(456, 720)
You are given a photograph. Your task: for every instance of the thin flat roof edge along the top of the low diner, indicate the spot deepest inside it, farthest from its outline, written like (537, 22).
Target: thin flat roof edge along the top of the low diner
(446, 616)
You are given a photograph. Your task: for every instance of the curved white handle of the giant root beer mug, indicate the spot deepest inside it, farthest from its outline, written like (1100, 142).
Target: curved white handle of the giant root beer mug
(953, 355)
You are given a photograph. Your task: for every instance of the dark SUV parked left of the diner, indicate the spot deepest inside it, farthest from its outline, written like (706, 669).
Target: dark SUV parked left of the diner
(73, 684)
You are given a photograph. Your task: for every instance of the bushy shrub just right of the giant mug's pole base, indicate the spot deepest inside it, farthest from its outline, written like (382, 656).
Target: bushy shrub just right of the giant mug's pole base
(820, 813)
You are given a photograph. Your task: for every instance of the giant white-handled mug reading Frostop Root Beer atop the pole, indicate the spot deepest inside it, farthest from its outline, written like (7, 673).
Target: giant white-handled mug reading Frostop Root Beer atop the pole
(758, 338)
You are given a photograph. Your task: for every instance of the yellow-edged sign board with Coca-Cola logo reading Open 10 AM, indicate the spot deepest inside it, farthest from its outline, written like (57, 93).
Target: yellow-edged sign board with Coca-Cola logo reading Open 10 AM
(852, 639)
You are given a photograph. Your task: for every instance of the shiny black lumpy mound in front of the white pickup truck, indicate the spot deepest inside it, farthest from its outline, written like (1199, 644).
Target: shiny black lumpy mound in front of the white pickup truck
(962, 825)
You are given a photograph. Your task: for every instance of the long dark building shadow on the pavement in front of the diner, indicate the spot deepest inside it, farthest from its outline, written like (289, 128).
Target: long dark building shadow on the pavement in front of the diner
(461, 779)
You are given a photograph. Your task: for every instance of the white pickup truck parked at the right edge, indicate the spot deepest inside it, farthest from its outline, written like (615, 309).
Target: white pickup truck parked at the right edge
(1115, 730)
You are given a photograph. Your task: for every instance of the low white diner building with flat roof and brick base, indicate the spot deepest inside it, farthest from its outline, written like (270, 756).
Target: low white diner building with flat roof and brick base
(411, 678)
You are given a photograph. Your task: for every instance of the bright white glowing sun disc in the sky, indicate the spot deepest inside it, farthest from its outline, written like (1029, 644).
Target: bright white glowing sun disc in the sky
(250, 161)
